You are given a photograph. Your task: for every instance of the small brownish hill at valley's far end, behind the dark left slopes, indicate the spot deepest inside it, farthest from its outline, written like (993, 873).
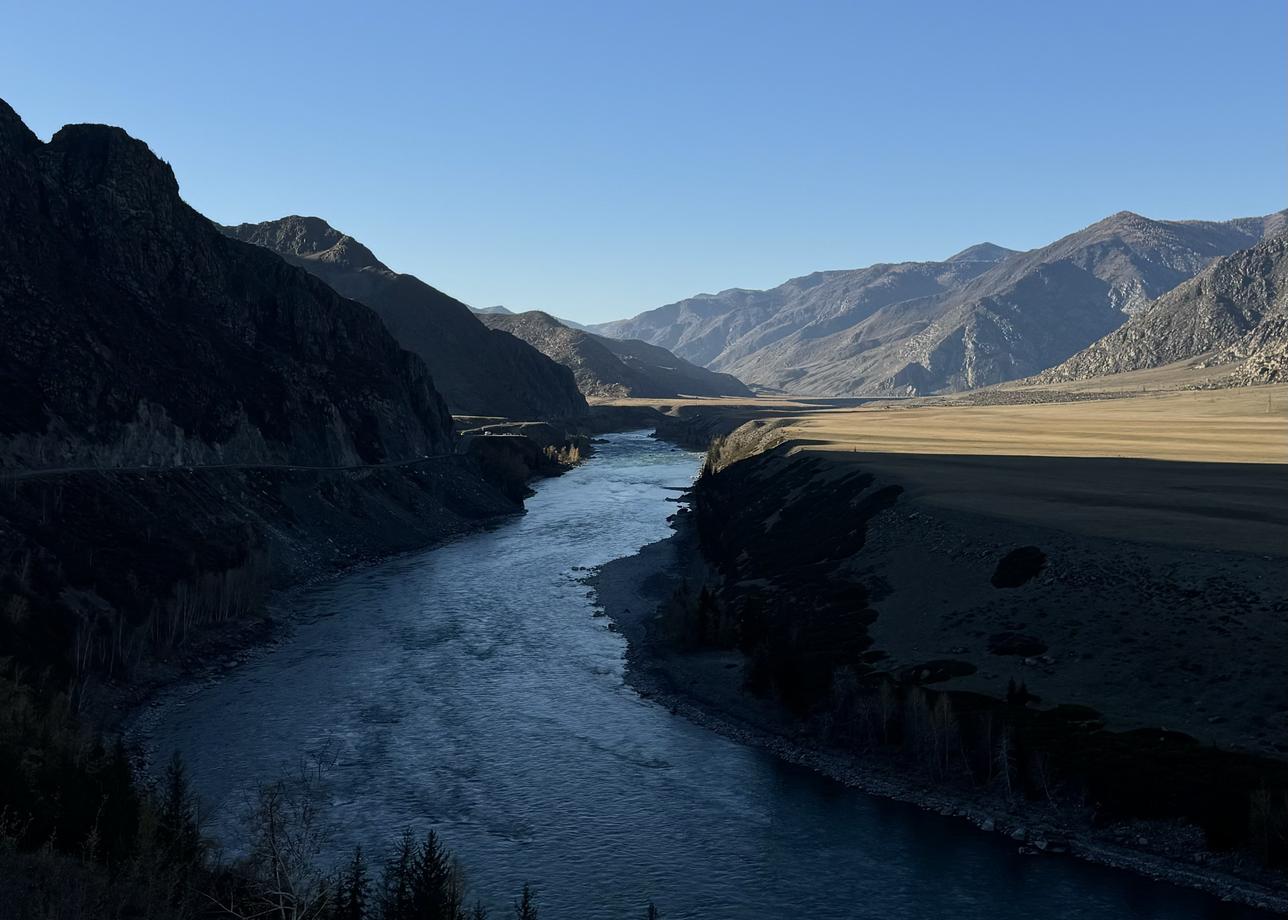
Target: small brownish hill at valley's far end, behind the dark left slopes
(611, 368)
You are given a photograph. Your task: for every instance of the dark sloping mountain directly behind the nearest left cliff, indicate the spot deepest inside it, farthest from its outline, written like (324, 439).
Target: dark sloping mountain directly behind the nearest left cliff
(478, 372)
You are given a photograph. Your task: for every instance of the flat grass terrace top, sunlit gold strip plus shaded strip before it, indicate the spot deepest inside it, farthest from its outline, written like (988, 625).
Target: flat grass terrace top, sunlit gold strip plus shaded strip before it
(1198, 468)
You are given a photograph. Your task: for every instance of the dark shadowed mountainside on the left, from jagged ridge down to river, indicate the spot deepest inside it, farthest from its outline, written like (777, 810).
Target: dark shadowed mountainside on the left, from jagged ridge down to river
(186, 421)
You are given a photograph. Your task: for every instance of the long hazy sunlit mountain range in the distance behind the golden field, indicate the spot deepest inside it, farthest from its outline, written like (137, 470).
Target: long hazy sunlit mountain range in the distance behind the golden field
(983, 316)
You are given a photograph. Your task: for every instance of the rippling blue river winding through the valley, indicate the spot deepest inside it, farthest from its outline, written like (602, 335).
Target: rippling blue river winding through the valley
(472, 689)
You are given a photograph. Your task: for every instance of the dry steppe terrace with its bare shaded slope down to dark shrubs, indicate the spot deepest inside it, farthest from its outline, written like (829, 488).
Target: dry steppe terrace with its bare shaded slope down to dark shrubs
(1164, 517)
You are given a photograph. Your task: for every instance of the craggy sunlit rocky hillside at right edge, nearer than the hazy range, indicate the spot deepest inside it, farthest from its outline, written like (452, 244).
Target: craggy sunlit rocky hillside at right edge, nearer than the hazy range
(1235, 311)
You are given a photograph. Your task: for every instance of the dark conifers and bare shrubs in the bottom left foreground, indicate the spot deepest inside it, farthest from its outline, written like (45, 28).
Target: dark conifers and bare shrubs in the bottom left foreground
(80, 839)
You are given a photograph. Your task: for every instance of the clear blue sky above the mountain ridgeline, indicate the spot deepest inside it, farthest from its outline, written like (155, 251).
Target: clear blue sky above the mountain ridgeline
(600, 159)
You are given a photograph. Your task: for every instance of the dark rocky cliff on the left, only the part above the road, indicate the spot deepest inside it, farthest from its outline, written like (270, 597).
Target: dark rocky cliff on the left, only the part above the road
(137, 334)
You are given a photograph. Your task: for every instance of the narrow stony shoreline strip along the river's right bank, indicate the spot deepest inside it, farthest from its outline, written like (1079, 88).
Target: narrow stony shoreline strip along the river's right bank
(708, 687)
